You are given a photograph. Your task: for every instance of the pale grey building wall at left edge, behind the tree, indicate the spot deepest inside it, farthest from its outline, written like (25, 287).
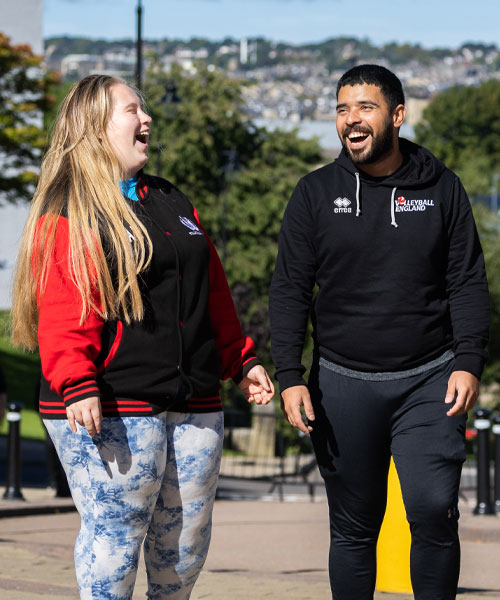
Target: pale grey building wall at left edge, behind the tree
(22, 22)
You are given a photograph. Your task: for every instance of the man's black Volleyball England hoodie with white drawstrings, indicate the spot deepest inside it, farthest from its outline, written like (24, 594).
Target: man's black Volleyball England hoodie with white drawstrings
(398, 266)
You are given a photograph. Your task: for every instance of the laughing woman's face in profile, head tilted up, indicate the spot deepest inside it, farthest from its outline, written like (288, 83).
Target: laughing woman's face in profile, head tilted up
(128, 130)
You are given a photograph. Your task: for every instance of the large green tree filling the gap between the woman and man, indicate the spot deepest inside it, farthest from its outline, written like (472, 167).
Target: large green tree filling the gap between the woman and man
(237, 175)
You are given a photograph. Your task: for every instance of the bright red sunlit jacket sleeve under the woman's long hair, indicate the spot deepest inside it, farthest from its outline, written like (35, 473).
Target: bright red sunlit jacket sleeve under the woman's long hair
(68, 349)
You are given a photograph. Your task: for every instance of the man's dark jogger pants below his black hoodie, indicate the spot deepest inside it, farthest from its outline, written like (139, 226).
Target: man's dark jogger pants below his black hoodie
(358, 425)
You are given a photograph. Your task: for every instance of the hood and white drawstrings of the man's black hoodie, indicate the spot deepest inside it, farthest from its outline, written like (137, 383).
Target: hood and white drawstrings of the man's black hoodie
(420, 169)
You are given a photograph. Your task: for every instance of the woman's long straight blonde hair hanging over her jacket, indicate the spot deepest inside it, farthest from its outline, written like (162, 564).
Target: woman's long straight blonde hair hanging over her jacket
(79, 179)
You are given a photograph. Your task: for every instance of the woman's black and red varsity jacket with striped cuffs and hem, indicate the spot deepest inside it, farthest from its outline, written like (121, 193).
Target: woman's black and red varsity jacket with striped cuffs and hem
(190, 337)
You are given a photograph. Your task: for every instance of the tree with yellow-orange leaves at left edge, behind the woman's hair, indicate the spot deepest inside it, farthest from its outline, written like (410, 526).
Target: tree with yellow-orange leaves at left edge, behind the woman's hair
(23, 99)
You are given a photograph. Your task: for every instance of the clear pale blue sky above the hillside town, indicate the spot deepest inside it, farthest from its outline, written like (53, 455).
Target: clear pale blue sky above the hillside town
(431, 23)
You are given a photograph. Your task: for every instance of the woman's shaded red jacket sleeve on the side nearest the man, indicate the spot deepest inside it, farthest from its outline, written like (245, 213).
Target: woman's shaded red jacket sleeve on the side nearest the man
(236, 351)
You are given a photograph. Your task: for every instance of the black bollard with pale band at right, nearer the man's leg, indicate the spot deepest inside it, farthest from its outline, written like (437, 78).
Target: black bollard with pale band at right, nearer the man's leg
(482, 425)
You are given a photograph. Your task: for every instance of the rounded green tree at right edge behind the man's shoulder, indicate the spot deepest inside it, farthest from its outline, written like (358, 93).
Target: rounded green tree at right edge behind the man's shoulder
(461, 126)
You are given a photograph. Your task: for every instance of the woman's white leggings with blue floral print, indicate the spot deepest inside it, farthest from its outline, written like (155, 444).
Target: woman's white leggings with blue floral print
(142, 479)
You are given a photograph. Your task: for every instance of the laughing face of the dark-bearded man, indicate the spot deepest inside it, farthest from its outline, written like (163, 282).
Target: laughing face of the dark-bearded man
(364, 124)
